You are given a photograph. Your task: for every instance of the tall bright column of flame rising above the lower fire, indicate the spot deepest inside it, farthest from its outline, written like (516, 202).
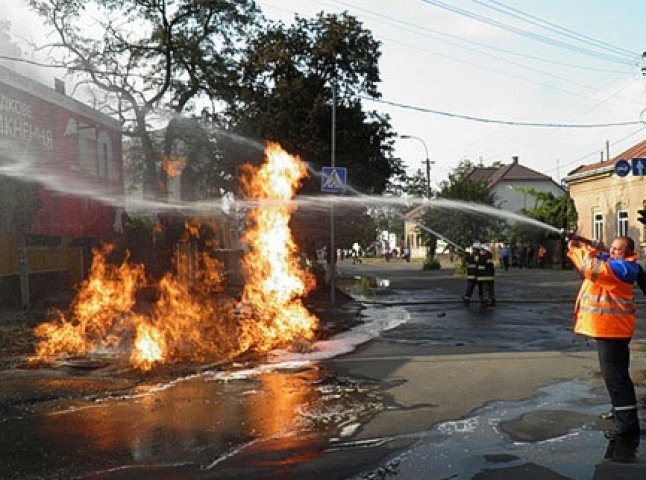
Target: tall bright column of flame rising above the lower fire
(275, 283)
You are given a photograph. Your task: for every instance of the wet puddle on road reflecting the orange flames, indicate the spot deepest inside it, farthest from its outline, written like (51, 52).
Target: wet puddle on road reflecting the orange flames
(276, 418)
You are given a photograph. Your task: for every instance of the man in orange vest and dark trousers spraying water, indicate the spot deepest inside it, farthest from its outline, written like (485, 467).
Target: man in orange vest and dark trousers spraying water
(605, 310)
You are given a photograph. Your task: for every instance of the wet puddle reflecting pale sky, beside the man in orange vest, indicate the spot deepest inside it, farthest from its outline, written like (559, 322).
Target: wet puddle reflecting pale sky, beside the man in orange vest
(555, 434)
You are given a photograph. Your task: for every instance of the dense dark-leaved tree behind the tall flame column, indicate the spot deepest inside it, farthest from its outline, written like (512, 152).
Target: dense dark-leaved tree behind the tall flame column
(290, 76)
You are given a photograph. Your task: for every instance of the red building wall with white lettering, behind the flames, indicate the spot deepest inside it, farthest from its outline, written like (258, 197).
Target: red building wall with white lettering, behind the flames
(73, 153)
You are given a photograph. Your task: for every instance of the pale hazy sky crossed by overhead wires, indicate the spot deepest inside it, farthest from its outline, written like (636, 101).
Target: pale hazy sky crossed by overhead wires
(558, 62)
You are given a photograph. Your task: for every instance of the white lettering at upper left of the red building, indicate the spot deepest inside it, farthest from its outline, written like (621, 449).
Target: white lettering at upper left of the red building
(15, 123)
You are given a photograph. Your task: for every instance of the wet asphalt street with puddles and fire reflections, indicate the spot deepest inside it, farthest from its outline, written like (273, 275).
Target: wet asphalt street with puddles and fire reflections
(422, 387)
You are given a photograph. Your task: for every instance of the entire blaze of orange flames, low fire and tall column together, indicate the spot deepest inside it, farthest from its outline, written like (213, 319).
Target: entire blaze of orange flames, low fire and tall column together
(191, 323)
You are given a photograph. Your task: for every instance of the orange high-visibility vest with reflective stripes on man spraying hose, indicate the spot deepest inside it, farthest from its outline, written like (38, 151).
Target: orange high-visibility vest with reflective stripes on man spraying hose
(605, 306)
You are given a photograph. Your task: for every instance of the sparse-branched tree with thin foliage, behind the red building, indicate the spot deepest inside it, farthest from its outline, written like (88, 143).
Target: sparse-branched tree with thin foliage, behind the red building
(150, 58)
